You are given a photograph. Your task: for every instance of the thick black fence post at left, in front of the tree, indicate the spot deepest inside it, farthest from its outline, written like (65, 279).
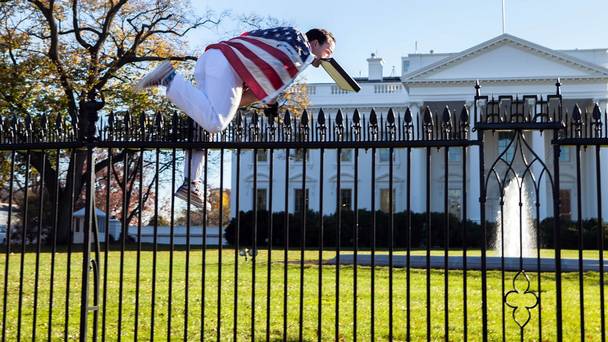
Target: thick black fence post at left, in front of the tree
(89, 111)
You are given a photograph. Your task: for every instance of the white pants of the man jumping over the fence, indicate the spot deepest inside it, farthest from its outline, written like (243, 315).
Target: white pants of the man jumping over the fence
(212, 103)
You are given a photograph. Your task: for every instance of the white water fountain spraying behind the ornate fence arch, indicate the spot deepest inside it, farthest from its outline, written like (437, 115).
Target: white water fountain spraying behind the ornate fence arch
(516, 221)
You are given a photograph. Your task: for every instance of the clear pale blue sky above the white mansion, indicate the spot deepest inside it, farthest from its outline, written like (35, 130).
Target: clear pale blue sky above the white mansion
(392, 29)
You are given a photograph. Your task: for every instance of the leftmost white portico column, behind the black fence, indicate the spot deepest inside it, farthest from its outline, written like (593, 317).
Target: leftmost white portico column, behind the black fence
(418, 167)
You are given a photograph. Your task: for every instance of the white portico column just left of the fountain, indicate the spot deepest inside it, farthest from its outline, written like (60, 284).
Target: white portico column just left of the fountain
(473, 206)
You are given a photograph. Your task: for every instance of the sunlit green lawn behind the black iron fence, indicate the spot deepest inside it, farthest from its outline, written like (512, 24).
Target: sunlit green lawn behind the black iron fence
(570, 290)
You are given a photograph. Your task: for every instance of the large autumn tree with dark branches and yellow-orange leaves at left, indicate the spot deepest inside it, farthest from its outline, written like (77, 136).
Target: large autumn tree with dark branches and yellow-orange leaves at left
(55, 55)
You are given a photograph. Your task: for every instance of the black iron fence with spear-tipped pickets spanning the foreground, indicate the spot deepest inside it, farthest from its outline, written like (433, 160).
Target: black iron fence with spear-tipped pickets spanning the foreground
(482, 223)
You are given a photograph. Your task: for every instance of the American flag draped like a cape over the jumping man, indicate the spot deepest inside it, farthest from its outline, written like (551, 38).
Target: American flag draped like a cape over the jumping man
(267, 60)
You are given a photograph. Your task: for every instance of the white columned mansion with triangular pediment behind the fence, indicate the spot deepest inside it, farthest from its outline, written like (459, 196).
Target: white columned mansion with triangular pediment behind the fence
(505, 65)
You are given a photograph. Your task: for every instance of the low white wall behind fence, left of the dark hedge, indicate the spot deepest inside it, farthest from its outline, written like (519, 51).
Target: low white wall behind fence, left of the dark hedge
(163, 235)
